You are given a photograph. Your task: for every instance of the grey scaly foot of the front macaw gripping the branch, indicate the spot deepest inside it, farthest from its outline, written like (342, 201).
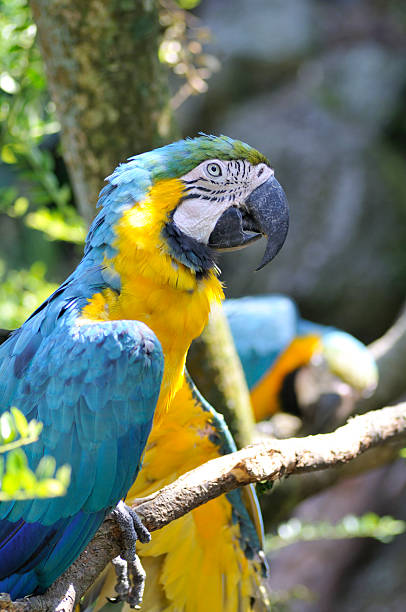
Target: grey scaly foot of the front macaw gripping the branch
(129, 571)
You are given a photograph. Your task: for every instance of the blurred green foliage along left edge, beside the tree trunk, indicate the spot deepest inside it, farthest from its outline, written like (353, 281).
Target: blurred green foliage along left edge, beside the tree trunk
(30, 191)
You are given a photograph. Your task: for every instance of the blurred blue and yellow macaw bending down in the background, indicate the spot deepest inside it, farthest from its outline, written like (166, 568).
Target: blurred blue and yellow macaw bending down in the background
(274, 342)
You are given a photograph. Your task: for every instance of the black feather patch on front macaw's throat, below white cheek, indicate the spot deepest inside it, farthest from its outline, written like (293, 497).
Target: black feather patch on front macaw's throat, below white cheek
(195, 255)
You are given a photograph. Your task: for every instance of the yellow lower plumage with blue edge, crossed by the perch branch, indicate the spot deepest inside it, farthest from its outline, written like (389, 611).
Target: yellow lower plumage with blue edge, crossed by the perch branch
(211, 558)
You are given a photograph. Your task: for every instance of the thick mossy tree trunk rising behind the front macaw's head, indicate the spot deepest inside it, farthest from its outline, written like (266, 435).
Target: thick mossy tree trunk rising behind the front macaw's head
(109, 87)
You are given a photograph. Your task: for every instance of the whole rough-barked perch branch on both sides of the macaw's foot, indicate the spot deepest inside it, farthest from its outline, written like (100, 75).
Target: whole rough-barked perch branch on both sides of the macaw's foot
(270, 461)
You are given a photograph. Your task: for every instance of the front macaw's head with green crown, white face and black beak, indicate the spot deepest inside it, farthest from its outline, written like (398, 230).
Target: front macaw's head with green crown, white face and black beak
(198, 196)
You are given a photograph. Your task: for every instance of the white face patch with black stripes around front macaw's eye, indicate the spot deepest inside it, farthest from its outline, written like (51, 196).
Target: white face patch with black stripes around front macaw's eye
(211, 188)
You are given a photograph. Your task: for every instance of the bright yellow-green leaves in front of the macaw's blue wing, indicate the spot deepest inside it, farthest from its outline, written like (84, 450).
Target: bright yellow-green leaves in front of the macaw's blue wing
(17, 480)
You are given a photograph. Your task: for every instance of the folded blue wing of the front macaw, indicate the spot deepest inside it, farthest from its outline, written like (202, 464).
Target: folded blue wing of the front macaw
(94, 386)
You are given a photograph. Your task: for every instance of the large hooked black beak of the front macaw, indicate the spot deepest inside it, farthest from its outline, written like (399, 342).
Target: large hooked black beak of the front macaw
(264, 213)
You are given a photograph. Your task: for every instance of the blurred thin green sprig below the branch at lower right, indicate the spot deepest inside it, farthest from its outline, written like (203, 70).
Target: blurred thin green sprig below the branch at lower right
(370, 525)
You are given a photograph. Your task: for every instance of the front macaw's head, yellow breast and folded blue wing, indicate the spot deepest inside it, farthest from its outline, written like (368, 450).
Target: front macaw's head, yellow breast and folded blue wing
(106, 351)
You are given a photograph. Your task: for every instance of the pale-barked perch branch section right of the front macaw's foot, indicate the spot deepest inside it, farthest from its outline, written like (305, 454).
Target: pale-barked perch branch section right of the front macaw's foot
(271, 461)
